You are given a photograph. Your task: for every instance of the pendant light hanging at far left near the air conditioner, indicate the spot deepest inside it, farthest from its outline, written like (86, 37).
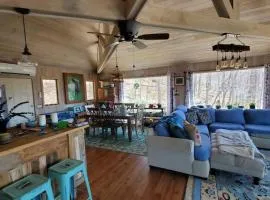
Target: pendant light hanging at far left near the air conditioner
(25, 59)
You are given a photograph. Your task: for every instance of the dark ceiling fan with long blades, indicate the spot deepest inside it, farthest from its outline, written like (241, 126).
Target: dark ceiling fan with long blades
(129, 33)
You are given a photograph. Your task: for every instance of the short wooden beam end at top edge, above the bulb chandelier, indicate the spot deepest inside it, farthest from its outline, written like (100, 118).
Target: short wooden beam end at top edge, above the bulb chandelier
(227, 8)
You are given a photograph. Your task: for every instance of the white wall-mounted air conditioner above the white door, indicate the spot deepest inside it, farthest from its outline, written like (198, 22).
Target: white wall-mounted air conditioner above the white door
(6, 68)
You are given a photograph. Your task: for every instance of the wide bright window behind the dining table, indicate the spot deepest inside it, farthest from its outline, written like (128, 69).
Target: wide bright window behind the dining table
(150, 90)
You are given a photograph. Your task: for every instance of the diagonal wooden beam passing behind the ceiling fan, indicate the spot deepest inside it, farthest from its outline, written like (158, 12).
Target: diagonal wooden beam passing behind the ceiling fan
(133, 8)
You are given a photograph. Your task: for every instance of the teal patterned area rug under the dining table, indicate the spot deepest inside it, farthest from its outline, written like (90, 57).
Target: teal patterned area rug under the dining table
(136, 146)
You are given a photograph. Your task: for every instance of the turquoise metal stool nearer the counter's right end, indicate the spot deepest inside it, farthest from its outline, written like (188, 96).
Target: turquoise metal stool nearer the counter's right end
(64, 172)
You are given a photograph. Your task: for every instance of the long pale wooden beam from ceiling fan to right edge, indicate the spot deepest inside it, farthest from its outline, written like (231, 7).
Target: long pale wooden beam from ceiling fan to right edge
(154, 16)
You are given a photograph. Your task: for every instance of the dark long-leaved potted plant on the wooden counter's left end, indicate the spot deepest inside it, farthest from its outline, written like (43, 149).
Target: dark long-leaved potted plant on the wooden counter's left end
(4, 136)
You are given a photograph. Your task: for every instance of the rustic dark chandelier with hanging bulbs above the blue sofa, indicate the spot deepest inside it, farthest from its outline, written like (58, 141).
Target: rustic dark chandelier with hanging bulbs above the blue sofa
(235, 50)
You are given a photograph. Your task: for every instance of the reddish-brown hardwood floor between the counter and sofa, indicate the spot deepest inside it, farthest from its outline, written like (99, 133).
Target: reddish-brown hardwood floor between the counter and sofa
(121, 176)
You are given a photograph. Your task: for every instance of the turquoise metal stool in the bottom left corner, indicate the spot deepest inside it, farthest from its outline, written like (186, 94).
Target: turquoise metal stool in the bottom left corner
(27, 188)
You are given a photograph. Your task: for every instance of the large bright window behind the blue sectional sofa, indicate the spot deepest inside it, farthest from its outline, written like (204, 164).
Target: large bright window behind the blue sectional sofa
(236, 88)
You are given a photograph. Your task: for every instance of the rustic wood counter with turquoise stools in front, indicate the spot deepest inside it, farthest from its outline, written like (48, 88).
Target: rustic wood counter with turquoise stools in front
(32, 153)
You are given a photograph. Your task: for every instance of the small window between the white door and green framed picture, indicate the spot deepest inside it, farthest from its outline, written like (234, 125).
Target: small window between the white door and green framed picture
(50, 95)
